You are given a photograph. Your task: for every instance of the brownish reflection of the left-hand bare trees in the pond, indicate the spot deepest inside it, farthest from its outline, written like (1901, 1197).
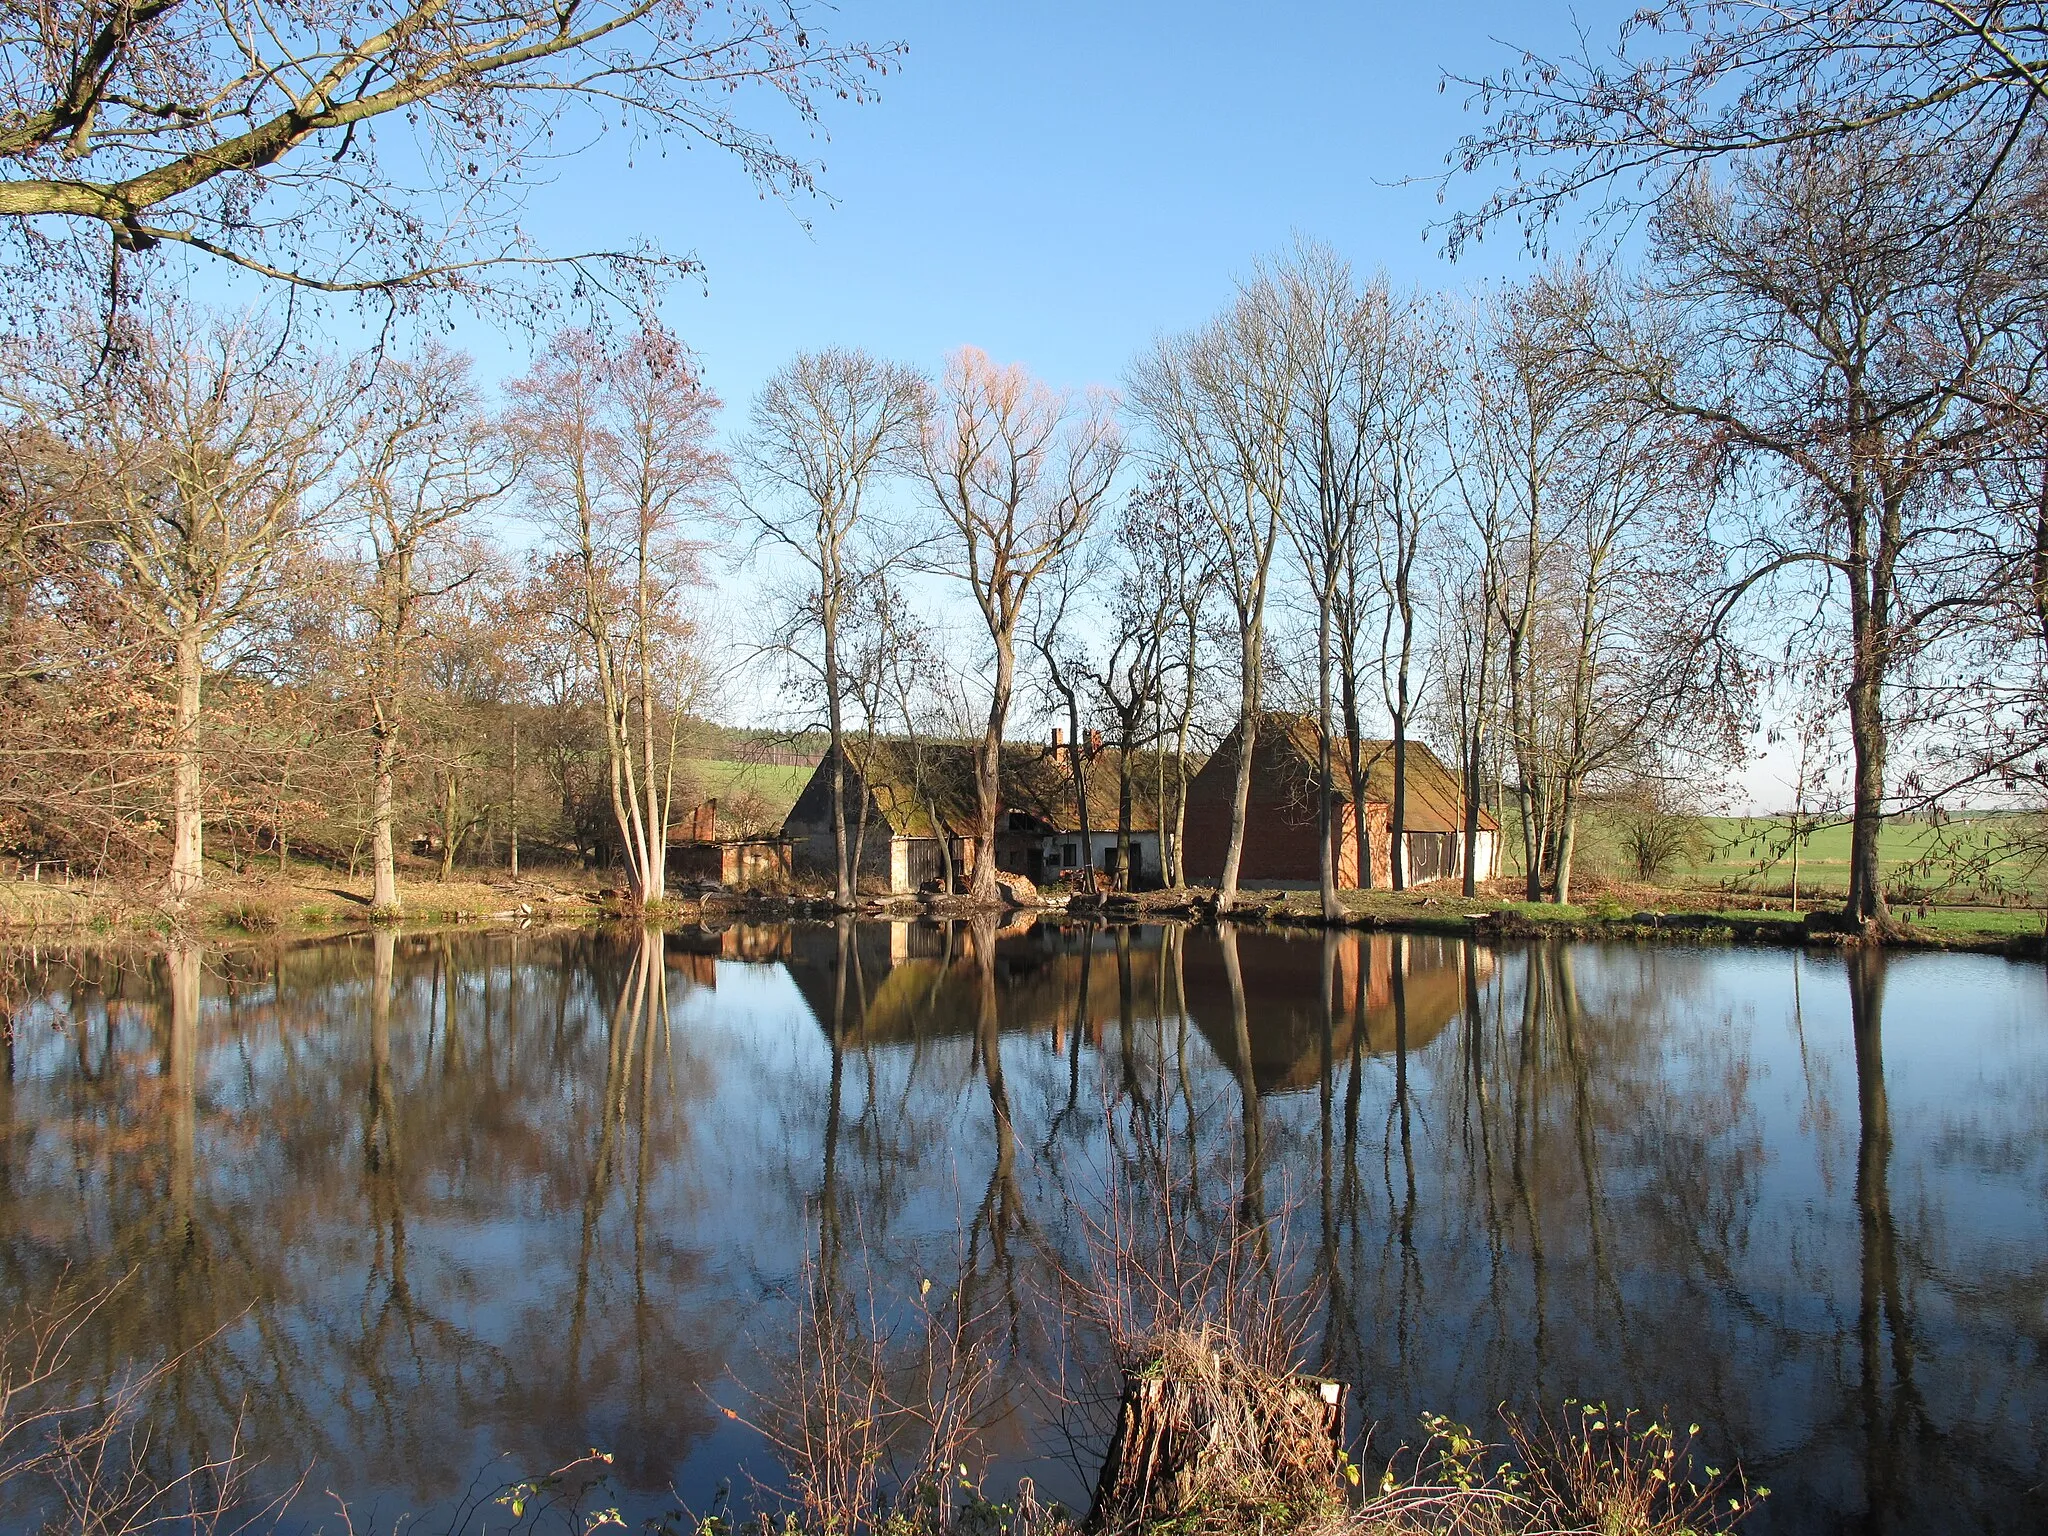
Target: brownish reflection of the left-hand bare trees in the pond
(247, 1136)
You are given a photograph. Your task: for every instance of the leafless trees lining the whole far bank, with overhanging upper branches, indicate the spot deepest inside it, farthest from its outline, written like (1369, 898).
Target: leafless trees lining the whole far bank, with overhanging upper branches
(1775, 454)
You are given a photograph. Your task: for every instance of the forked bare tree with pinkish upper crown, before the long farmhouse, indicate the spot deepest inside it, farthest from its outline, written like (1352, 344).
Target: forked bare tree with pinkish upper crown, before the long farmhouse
(1019, 474)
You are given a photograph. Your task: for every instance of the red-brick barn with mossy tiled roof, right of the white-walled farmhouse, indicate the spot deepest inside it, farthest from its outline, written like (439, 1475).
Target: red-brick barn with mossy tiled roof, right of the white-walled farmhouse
(1281, 841)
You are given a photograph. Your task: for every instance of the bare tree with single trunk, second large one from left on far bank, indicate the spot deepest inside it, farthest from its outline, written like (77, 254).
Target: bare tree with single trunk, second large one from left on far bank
(427, 462)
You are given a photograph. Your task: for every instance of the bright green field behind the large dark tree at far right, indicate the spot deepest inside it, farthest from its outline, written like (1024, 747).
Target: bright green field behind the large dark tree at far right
(1965, 859)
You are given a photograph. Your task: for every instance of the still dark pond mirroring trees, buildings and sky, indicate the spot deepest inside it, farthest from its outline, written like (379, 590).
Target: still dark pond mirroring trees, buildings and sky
(415, 1205)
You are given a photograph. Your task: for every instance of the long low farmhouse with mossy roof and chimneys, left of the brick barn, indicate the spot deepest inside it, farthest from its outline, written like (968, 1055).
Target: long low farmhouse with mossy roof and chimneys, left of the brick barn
(916, 802)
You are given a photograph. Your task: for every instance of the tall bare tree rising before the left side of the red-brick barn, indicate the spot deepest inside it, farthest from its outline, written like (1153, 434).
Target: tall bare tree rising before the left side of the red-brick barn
(1218, 404)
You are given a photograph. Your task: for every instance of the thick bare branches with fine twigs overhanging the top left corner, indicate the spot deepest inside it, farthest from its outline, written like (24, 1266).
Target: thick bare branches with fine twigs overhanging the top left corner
(370, 148)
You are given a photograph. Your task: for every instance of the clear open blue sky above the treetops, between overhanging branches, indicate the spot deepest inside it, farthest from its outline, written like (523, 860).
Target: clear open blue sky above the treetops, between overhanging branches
(1056, 183)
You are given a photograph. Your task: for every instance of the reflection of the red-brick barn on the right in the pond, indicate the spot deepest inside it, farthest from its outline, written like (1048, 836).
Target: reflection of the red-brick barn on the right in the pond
(1283, 988)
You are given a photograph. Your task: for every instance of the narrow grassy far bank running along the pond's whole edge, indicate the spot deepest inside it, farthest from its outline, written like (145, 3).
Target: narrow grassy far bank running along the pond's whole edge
(318, 904)
